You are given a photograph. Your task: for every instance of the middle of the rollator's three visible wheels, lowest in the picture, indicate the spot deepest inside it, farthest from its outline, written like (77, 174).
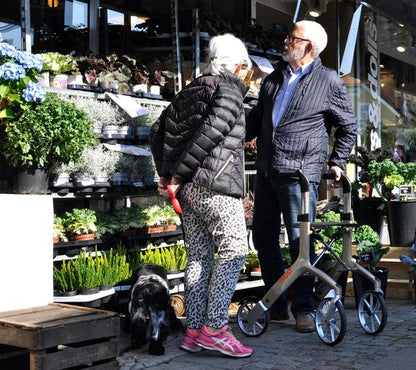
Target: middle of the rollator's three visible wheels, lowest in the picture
(331, 324)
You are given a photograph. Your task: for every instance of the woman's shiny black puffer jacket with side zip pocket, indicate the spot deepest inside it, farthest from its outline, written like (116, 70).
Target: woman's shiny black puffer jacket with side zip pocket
(199, 137)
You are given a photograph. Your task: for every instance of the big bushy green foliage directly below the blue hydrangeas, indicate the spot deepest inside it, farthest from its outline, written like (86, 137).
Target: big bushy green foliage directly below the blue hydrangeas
(52, 132)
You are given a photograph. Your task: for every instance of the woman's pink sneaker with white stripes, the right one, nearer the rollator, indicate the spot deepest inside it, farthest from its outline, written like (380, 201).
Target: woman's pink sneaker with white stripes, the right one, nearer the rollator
(224, 342)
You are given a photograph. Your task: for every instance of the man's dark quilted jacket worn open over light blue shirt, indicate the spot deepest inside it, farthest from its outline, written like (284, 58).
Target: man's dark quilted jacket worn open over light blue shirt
(320, 101)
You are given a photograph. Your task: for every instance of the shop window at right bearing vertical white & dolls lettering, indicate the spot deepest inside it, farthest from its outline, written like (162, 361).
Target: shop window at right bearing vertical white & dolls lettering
(385, 87)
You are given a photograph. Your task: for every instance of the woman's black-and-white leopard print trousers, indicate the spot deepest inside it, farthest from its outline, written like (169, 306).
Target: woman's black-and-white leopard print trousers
(212, 222)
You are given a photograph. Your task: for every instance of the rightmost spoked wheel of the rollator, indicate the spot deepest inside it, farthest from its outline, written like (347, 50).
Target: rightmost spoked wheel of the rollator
(372, 312)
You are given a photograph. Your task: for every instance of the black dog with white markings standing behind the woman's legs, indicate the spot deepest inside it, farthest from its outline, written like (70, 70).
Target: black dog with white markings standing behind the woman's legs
(151, 314)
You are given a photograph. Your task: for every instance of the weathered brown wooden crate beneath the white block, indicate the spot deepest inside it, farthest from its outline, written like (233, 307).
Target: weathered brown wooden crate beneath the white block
(60, 336)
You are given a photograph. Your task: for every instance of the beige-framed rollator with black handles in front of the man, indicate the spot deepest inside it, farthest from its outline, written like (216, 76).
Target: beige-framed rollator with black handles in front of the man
(253, 316)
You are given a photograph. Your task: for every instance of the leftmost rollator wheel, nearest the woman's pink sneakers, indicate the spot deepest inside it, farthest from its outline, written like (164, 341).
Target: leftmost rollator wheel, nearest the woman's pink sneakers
(251, 329)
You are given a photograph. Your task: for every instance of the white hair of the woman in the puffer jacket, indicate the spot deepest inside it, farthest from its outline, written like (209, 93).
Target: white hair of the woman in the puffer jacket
(226, 52)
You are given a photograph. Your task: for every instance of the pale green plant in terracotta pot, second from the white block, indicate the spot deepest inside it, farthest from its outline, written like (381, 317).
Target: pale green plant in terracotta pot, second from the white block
(80, 223)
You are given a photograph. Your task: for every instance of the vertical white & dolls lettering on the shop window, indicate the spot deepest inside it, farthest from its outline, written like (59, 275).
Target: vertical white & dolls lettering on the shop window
(374, 112)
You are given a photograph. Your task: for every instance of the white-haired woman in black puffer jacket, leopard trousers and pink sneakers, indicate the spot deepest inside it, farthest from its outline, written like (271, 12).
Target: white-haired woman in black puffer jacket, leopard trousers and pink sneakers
(198, 145)
